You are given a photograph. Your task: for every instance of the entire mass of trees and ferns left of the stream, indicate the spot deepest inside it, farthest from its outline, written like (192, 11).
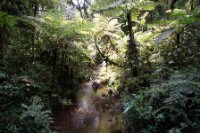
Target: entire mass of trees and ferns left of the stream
(45, 56)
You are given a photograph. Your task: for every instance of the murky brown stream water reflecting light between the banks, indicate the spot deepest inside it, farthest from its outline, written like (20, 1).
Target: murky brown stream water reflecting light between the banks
(93, 113)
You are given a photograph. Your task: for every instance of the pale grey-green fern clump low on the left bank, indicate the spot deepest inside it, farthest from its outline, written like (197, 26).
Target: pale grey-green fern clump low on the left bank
(35, 117)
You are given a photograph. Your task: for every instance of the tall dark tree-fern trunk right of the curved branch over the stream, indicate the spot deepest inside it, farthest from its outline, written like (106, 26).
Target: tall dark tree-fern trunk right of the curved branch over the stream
(132, 46)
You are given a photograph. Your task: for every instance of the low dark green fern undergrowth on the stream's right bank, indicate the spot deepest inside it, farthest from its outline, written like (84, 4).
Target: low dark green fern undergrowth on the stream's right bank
(172, 105)
